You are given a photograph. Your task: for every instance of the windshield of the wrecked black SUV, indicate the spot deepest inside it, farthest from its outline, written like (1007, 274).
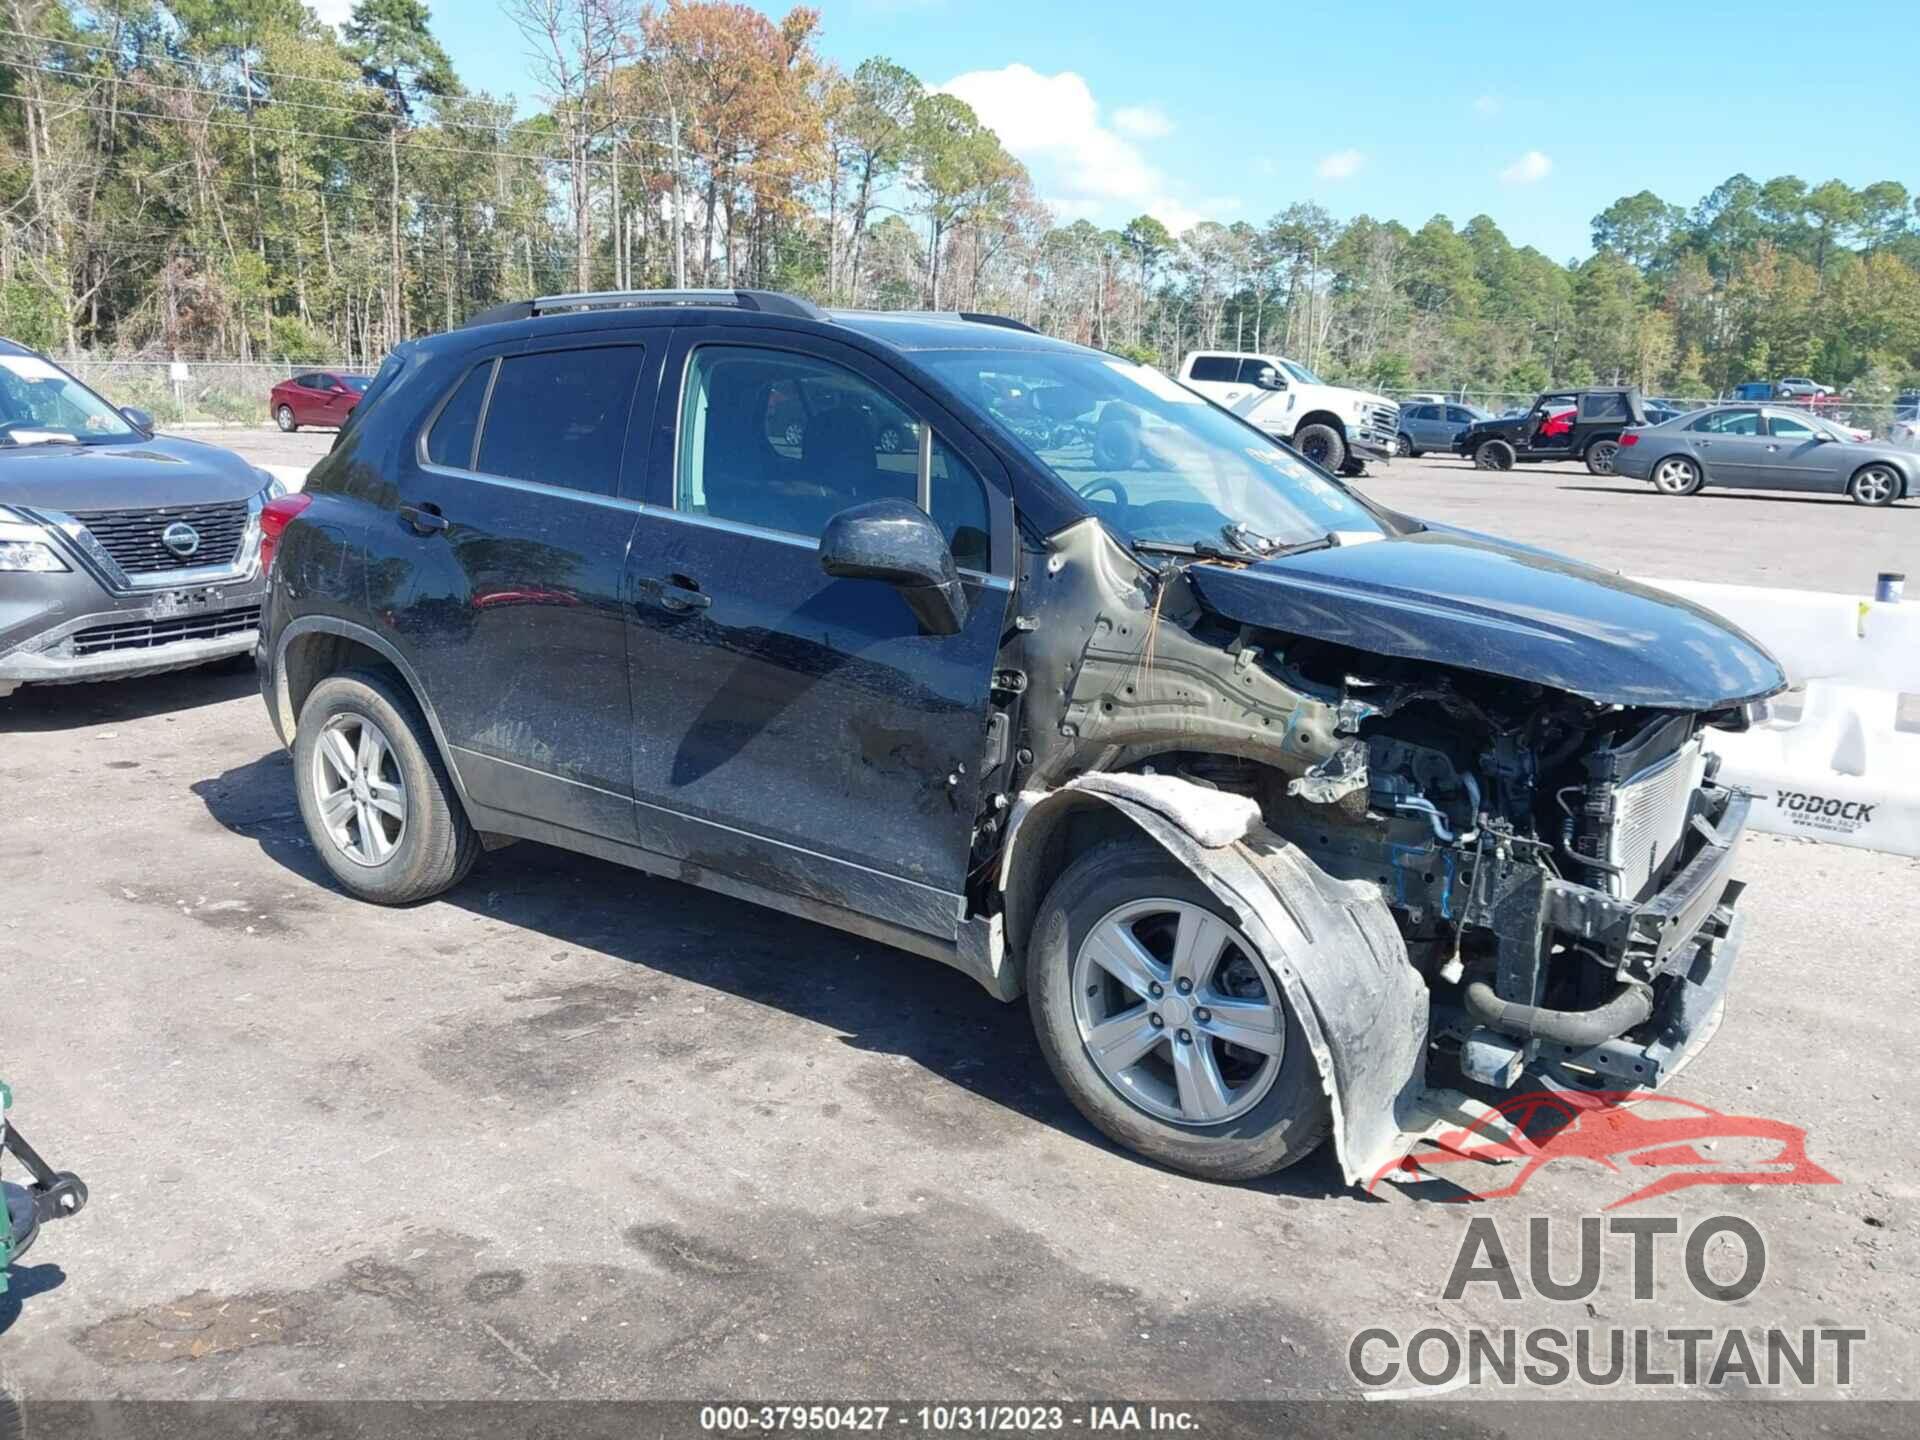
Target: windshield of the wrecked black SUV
(1151, 458)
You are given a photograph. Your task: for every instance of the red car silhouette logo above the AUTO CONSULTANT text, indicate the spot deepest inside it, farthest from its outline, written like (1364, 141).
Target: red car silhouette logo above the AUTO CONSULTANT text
(1621, 1132)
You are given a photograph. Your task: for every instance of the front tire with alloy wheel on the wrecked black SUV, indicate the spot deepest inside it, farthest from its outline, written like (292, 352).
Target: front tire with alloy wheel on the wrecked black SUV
(1128, 936)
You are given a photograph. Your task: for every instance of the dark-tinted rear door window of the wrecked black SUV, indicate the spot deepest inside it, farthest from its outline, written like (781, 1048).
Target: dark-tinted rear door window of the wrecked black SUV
(560, 418)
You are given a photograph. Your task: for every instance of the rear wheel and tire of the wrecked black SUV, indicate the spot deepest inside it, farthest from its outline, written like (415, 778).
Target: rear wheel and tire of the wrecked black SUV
(375, 794)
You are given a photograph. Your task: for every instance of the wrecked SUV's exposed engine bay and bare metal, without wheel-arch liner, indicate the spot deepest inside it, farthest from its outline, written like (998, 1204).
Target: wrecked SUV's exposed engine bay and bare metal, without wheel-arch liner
(1556, 867)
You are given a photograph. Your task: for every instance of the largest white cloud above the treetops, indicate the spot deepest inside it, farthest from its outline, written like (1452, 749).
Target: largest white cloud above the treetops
(1086, 166)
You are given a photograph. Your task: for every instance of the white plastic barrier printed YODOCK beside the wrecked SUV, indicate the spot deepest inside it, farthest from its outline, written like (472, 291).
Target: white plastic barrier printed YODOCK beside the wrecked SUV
(1840, 773)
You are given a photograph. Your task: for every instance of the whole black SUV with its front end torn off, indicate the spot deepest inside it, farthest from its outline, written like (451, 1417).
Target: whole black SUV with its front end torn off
(1262, 794)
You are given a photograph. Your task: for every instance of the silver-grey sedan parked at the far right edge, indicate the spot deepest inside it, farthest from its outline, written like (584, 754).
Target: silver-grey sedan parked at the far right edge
(1765, 448)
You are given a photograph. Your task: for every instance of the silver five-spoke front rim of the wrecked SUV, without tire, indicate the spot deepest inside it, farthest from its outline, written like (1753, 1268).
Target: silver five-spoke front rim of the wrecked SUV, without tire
(1176, 1013)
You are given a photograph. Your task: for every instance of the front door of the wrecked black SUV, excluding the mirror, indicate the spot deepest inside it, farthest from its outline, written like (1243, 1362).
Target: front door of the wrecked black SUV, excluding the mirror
(794, 731)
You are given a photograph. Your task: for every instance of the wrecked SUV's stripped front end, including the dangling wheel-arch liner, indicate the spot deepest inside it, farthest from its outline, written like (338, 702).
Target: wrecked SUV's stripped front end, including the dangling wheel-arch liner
(1458, 876)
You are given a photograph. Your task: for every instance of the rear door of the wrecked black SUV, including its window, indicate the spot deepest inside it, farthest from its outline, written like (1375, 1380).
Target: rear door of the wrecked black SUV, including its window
(510, 567)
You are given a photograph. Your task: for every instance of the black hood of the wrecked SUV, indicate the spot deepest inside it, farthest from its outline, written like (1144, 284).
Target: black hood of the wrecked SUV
(1472, 602)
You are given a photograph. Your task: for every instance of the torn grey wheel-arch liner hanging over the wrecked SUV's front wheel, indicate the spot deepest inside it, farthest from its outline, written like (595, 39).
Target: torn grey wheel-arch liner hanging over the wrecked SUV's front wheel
(1332, 946)
